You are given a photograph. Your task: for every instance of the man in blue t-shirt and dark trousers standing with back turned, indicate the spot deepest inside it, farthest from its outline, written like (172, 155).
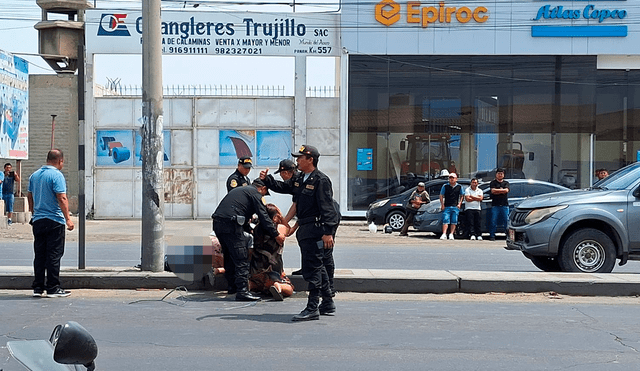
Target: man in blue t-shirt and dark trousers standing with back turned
(50, 209)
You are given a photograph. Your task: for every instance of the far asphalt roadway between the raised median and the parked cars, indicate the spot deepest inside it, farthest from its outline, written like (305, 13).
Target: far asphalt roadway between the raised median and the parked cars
(429, 254)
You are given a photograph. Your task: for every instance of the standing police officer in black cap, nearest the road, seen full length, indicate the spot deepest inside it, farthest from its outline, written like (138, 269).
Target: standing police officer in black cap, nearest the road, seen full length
(318, 220)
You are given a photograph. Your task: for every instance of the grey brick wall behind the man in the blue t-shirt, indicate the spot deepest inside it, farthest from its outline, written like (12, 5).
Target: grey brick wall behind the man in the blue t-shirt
(53, 95)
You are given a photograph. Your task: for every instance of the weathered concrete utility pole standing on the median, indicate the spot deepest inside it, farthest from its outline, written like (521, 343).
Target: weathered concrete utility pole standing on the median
(152, 141)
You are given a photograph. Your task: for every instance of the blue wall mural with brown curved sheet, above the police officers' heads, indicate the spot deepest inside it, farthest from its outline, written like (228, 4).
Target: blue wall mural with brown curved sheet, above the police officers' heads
(266, 147)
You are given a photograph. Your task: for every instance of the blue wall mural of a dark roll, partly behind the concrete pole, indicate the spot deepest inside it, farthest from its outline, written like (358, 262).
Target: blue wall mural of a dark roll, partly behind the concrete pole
(118, 148)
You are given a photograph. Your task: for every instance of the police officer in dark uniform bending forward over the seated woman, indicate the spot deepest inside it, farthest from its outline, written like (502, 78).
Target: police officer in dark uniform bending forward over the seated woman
(231, 225)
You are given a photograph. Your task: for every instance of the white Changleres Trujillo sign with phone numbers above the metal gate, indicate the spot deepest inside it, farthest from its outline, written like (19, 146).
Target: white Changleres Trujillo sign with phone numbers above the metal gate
(193, 33)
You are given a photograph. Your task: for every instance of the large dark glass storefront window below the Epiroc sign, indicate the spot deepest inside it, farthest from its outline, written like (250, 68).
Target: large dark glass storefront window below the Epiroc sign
(536, 116)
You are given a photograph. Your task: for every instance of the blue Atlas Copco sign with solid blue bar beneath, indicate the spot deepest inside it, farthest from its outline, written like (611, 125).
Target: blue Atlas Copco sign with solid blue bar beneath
(588, 14)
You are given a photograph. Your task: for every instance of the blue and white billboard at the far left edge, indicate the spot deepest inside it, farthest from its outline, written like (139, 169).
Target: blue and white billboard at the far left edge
(14, 107)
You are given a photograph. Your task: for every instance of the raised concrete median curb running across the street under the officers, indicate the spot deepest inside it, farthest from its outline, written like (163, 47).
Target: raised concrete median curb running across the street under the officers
(358, 280)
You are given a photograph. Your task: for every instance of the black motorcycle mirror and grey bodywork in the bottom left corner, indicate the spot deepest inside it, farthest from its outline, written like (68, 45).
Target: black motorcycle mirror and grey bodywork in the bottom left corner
(70, 347)
